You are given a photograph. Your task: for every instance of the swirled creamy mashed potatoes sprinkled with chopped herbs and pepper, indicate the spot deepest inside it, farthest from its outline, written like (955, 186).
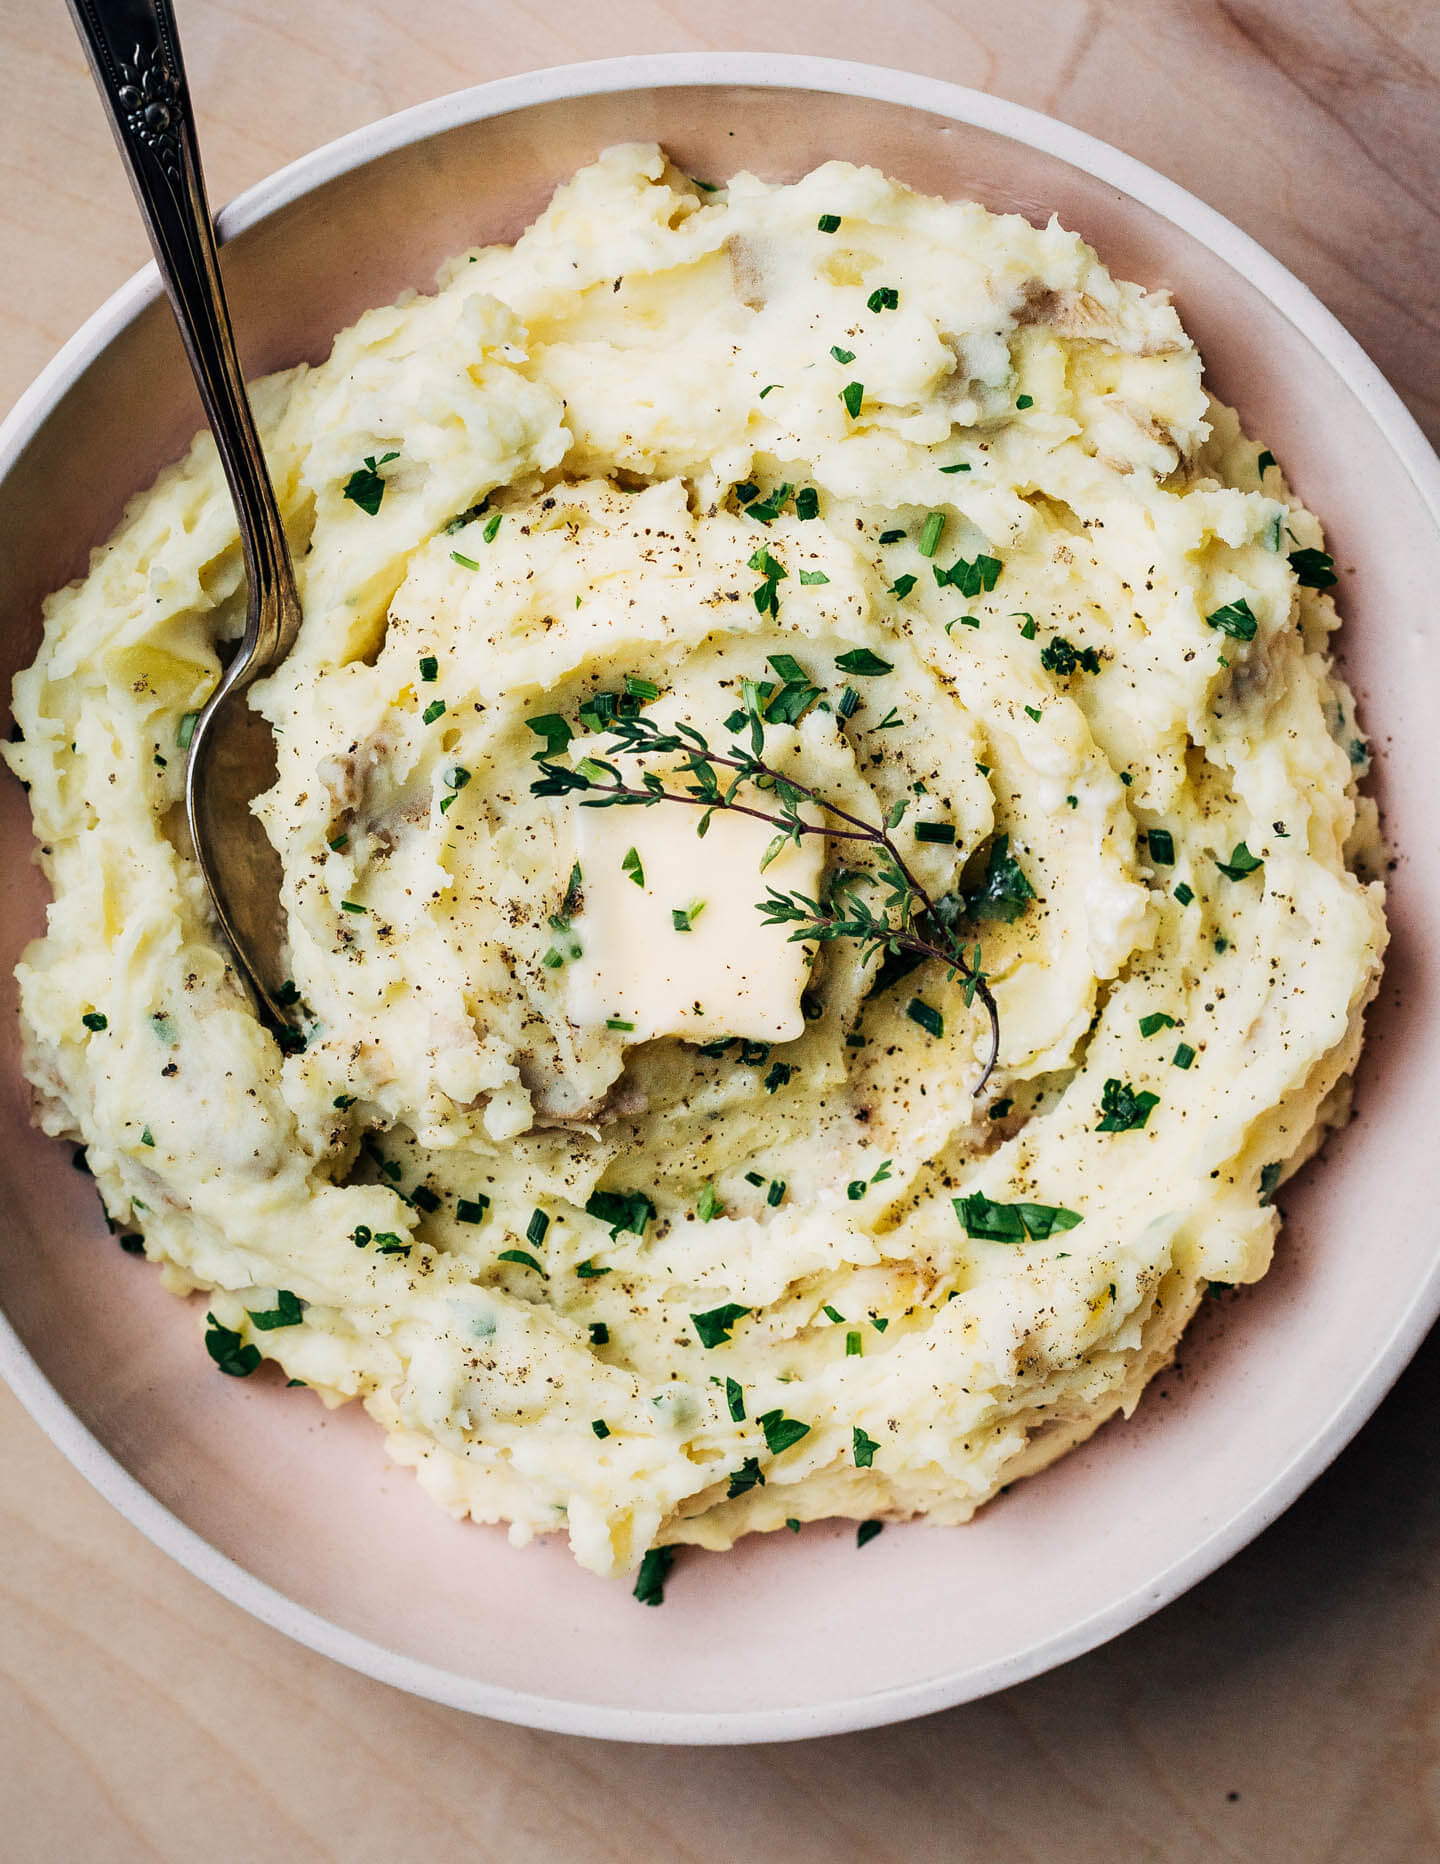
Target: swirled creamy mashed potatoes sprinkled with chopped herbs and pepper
(625, 1214)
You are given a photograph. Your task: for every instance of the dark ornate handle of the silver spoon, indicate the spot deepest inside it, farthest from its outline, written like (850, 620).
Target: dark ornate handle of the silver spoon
(135, 57)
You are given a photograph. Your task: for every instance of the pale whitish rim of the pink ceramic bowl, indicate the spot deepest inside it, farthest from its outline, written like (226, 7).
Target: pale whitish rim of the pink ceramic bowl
(1348, 1414)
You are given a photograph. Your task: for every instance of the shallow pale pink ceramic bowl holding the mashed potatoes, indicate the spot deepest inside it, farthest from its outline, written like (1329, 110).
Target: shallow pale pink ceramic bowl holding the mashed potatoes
(297, 1514)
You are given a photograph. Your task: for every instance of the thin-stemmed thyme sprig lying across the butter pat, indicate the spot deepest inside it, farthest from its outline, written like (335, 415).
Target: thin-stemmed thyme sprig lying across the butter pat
(908, 918)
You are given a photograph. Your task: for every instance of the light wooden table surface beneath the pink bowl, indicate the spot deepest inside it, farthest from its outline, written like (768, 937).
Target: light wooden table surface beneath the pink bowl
(1284, 1710)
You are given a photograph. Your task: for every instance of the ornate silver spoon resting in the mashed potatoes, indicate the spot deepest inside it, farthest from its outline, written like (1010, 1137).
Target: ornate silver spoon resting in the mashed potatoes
(135, 57)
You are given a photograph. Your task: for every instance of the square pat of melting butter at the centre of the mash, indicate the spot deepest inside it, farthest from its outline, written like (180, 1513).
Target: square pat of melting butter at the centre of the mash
(729, 974)
